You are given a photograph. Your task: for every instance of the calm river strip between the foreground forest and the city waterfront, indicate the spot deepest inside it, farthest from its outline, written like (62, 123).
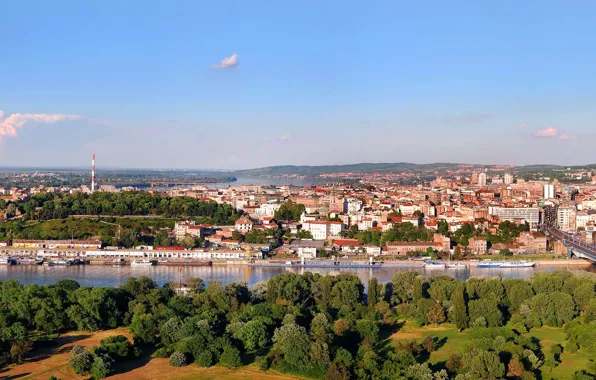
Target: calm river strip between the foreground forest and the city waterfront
(98, 275)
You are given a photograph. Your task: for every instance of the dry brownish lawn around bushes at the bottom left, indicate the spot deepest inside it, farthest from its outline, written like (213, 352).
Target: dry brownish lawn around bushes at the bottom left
(53, 361)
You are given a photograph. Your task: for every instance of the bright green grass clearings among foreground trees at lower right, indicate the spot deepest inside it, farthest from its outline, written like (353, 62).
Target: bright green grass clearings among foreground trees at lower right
(455, 342)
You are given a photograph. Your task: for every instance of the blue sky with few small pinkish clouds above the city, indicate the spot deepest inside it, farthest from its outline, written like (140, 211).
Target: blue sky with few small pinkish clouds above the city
(316, 82)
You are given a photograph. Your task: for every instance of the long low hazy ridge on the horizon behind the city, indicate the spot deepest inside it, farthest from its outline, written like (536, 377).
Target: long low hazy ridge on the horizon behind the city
(397, 167)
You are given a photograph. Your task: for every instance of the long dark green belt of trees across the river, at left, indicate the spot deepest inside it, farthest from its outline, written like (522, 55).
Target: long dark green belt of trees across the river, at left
(45, 206)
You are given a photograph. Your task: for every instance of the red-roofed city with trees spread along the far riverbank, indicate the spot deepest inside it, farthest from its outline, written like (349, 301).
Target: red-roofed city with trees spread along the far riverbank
(462, 213)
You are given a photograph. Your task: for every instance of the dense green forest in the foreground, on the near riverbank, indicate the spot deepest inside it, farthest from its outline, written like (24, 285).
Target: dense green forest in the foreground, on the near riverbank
(315, 326)
